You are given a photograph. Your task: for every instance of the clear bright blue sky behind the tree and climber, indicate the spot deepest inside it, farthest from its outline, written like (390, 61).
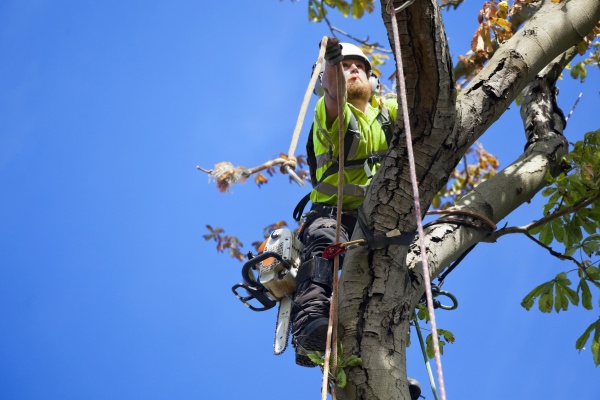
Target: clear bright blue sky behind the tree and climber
(107, 288)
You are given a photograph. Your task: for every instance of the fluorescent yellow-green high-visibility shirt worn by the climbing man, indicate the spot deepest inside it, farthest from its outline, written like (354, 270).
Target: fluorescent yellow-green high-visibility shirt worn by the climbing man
(364, 146)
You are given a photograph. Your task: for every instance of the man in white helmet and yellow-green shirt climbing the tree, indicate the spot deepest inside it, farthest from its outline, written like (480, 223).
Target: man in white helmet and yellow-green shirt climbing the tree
(364, 118)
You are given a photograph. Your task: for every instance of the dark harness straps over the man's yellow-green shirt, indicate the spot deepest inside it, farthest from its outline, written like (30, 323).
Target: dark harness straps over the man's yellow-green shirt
(352, 134)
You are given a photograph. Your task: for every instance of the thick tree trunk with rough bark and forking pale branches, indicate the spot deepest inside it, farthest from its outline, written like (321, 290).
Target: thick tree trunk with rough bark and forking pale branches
(380, 288)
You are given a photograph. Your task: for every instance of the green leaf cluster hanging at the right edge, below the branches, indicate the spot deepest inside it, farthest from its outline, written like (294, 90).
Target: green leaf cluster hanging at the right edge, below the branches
(572, 218)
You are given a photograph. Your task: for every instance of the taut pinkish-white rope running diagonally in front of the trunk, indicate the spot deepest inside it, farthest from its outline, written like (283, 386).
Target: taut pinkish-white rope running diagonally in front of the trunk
(426, 276)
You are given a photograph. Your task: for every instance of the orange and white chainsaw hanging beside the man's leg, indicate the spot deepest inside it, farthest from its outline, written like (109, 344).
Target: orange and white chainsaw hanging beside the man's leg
(270, 278)
